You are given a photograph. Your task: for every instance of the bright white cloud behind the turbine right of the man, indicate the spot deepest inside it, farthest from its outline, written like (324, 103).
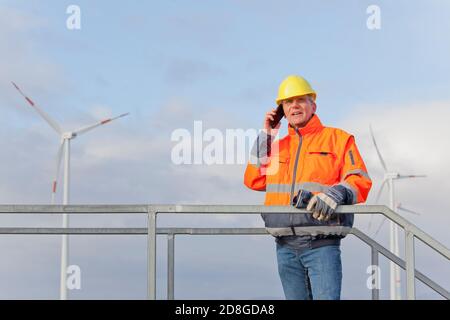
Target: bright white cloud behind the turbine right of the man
(412, 140)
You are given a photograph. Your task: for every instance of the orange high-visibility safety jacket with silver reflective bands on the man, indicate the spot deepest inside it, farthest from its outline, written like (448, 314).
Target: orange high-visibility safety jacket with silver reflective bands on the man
(312, 158)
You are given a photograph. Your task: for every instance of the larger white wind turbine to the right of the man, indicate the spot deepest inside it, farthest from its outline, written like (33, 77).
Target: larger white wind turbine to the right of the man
(389, 178)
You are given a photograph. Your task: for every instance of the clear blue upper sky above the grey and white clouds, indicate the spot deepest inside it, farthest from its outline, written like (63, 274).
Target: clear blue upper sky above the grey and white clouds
(216, 54)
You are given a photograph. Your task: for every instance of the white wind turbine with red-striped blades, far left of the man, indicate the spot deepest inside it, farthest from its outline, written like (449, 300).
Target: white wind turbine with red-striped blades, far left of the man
(66, 137)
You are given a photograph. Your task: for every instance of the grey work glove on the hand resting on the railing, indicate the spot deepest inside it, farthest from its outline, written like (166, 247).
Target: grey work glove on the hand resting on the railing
(323, 205)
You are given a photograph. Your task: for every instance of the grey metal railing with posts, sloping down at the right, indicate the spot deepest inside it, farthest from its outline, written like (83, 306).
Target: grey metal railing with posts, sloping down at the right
(411, 232)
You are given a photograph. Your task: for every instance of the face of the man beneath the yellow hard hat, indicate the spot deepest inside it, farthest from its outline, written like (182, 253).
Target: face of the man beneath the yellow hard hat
(299, 110)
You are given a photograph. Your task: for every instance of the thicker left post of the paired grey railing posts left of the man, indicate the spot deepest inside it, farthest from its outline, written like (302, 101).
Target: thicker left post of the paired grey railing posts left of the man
(151, 256)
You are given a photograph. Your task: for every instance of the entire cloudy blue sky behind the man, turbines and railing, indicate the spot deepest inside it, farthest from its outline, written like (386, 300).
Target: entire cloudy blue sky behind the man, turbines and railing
(172, 63)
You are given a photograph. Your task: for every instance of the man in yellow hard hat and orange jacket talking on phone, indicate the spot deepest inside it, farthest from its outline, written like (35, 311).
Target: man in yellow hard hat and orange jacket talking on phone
(313, 167)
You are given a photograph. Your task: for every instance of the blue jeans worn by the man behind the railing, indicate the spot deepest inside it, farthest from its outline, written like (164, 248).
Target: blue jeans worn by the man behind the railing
(311, 274)
